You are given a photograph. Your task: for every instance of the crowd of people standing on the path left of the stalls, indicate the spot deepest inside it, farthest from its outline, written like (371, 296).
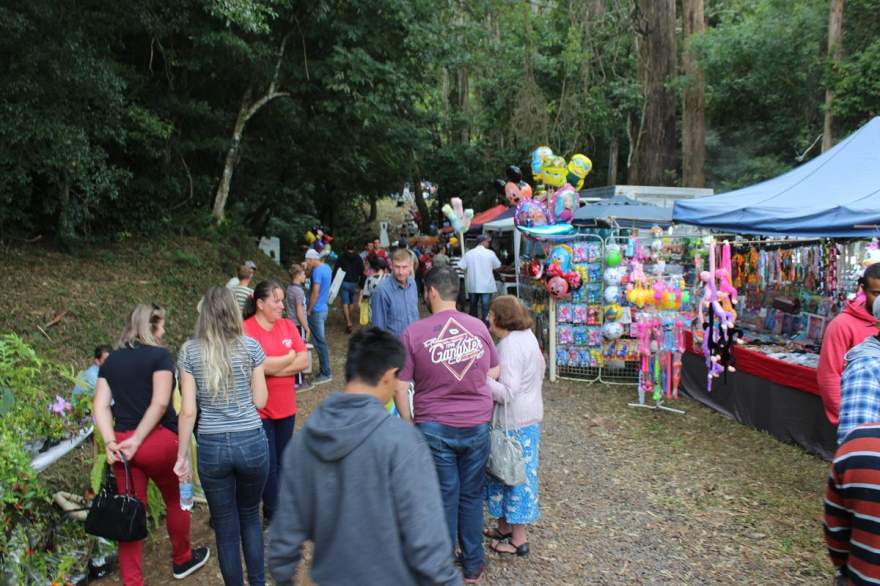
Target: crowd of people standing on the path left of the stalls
(388, 478)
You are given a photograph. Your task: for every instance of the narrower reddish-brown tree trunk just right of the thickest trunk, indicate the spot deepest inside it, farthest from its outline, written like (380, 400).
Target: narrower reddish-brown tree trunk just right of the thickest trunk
(693, 140)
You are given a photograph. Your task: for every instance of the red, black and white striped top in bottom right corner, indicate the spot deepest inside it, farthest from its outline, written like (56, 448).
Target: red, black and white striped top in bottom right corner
(852, 506)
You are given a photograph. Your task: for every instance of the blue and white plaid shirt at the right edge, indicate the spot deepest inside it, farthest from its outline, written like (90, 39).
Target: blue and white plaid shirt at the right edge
(859, 394)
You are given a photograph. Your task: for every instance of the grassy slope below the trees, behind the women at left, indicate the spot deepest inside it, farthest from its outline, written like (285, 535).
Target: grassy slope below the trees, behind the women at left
(98, 287)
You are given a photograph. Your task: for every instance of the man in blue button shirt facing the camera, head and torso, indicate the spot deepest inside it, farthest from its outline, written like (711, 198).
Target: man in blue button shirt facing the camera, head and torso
(395, 302)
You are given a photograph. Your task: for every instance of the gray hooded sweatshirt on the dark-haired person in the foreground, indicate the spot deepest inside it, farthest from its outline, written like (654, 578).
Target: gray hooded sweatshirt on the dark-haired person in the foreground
(361, 485)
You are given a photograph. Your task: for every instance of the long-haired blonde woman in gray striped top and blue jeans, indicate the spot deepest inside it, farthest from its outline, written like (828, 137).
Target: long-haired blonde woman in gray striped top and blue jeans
(221, 373)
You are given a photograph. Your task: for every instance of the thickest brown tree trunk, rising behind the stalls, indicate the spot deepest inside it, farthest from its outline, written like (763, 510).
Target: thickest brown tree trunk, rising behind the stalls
(655, 141)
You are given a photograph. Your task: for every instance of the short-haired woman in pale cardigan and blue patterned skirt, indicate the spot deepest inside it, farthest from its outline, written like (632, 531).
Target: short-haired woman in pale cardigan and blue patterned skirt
(518, 400)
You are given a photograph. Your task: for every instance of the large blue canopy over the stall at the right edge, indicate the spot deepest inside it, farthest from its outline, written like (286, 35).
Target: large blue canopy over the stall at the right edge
(837, 194)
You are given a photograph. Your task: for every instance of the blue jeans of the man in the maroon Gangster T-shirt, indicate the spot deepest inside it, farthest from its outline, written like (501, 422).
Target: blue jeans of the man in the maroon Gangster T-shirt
(460, 456)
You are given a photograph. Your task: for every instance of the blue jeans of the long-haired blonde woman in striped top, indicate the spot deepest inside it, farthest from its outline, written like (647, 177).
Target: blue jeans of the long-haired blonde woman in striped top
(233, 467)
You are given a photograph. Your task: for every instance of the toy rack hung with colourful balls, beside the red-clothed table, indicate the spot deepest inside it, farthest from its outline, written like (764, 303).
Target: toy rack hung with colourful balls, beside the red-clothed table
(648, 304)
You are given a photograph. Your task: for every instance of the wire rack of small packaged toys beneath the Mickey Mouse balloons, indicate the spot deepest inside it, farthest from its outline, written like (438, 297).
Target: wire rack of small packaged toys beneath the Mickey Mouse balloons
(578, 315)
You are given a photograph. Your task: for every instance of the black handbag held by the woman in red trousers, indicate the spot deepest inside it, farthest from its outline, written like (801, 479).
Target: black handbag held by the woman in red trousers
(118, 517)
